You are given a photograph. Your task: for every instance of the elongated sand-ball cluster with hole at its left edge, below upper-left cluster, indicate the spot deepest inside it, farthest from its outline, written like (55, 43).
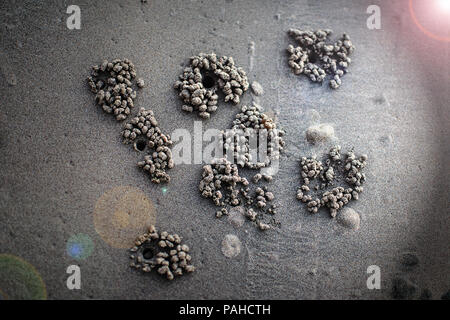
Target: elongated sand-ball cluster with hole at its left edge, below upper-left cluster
(157, 162)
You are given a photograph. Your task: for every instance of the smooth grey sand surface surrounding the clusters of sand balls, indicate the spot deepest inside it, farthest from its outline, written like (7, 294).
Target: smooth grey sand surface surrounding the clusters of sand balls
(60, 153)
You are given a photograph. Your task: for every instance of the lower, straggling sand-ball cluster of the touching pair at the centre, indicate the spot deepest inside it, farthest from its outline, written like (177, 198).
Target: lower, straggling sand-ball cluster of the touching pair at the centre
(222, 184)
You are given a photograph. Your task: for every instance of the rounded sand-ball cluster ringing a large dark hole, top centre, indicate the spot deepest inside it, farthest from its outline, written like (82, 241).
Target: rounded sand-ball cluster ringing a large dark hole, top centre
(207, 73)
